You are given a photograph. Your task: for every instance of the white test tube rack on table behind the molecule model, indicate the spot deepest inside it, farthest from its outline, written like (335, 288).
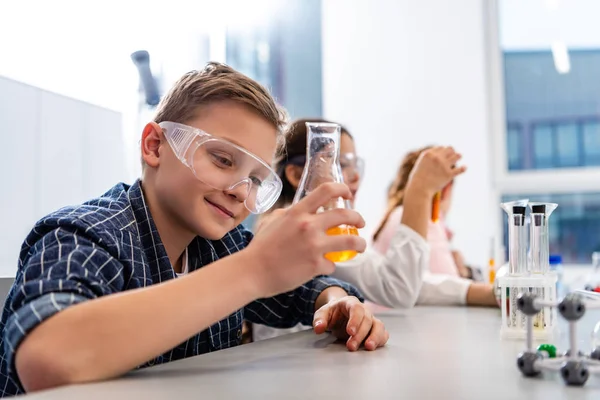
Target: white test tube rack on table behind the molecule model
(514, 322)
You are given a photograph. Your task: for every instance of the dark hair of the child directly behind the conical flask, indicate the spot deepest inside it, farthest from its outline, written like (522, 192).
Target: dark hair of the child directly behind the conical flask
(294, 153)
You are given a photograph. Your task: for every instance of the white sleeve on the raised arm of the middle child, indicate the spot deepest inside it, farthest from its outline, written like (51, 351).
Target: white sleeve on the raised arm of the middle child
(392, 279)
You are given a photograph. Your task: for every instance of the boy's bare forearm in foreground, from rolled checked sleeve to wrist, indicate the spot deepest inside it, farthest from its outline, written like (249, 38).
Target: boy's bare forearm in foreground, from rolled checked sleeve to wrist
(109, 336)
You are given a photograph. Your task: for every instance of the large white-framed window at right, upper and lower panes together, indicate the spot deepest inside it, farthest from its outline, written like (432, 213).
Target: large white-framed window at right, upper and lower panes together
(549, 69)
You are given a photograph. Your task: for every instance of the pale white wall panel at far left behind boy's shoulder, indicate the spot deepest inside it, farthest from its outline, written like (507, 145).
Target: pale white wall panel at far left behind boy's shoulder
(57, 151)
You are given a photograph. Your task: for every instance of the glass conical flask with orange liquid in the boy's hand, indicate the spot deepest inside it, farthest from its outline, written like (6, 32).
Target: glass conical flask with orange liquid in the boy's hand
(322, 166)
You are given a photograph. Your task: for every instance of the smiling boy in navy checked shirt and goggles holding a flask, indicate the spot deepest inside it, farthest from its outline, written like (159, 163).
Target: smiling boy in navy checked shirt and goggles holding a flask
(161, 270)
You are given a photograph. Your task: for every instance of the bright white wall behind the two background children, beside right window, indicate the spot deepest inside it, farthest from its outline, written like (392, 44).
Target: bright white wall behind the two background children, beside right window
(403, 74)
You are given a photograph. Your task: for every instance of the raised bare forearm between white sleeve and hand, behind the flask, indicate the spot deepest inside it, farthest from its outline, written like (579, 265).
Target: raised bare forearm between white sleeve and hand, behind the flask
(417, 208)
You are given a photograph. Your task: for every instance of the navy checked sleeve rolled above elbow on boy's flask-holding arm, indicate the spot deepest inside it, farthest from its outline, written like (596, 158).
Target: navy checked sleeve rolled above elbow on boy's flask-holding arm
(63, 268)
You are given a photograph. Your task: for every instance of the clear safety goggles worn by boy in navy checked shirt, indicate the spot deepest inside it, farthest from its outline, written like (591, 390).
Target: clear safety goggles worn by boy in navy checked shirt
(224, 166)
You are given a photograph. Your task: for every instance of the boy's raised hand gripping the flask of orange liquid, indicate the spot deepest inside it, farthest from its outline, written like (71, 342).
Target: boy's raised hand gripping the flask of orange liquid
(290, 248)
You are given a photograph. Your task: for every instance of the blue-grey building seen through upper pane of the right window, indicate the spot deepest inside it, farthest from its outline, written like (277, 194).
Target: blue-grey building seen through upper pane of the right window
(550, 105)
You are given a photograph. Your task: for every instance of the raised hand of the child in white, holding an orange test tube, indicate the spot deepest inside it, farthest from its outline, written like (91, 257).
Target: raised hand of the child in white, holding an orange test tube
(434, 169)
